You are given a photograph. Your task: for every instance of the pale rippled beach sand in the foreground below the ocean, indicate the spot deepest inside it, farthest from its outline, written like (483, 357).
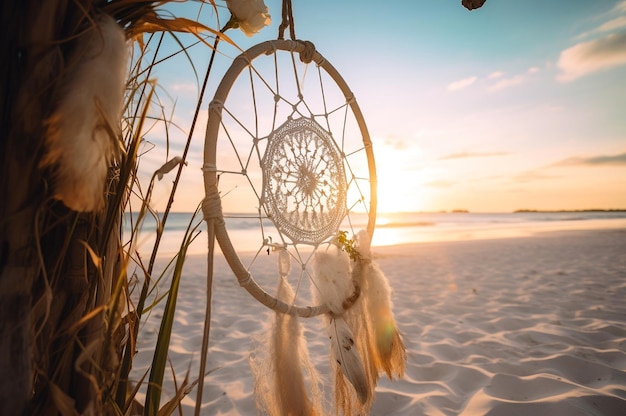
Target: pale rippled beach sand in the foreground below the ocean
(520, 326)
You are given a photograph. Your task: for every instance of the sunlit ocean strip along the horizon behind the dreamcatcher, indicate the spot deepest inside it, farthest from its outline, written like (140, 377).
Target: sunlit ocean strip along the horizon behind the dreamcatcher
(247, 233)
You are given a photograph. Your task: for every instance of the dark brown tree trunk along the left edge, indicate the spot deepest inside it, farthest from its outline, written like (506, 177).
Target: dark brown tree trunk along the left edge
(47, 281)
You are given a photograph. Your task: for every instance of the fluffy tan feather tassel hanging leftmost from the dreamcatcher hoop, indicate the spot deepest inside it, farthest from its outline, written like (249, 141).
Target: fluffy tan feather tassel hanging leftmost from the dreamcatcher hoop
(280, 386)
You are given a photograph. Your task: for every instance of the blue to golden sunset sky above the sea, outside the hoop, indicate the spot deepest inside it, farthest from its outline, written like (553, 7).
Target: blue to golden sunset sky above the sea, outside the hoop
(516, 105)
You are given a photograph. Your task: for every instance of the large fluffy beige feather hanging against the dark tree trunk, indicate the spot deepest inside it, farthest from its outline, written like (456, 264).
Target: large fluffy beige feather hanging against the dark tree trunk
(82, 131)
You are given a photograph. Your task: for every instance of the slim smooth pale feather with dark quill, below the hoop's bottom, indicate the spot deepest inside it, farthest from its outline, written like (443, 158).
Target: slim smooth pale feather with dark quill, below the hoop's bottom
(347, 356)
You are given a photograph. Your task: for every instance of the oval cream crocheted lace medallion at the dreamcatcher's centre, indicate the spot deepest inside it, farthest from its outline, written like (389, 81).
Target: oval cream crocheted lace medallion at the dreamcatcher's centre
(304, 187)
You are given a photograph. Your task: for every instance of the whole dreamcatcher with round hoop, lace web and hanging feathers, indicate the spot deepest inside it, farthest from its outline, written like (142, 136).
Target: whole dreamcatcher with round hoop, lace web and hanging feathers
(287, 152)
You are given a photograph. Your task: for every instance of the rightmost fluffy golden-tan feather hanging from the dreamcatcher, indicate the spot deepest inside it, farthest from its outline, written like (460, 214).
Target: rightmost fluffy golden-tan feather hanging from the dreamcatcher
(386, 351)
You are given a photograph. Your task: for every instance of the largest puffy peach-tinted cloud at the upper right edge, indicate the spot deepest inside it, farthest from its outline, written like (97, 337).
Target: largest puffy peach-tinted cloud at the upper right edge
(589, 57)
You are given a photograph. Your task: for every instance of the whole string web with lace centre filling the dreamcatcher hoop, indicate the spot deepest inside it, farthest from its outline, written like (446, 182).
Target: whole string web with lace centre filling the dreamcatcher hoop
(291, 163)
